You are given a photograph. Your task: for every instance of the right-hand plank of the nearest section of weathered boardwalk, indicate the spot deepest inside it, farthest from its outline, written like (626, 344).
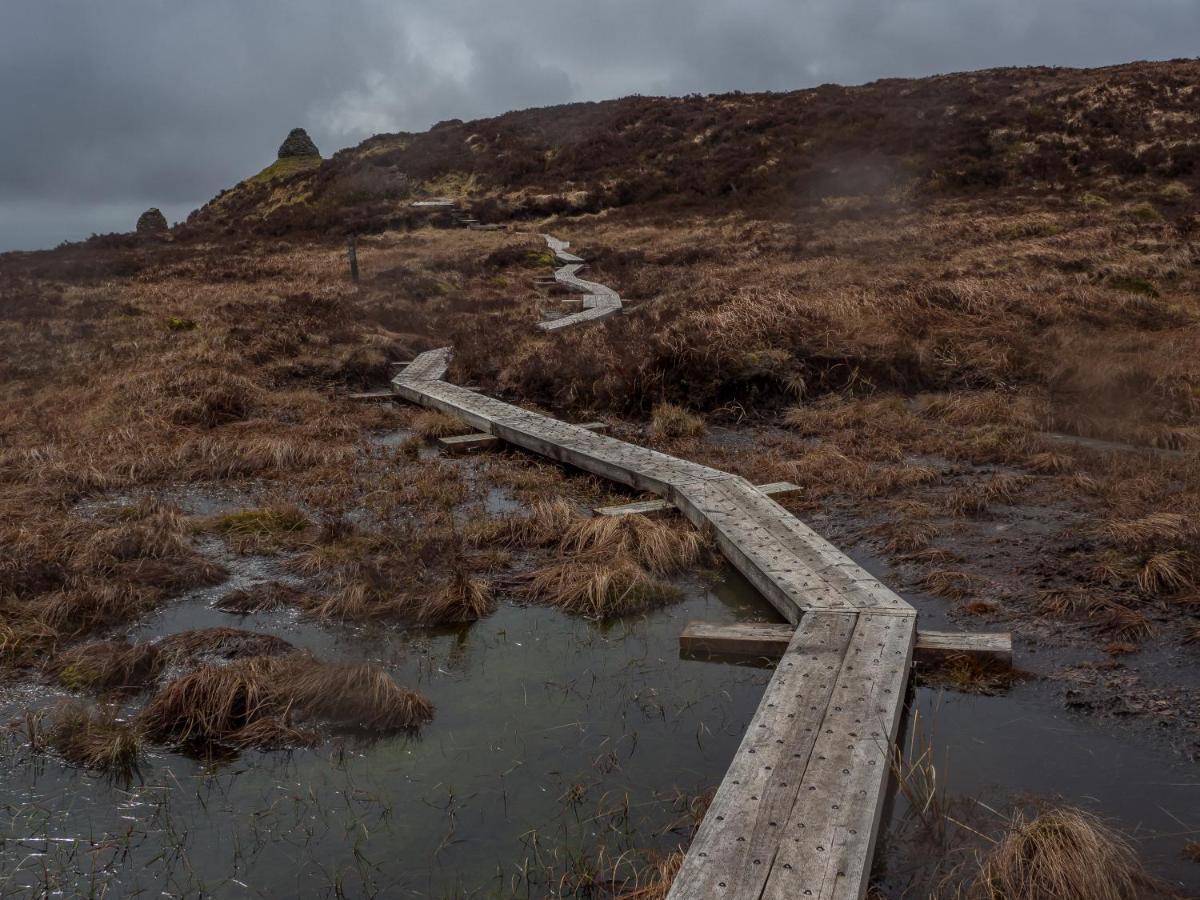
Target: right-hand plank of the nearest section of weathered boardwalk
(827, 847)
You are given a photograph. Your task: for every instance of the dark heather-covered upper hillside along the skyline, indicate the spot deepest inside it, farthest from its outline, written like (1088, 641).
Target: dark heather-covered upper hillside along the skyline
(997, 130)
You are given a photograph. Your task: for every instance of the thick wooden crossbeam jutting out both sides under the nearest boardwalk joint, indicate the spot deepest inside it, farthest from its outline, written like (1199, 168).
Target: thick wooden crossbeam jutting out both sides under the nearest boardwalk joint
(770, 640)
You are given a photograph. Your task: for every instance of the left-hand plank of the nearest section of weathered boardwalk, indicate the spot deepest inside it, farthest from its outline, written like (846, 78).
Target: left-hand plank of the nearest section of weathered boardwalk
(731, 855)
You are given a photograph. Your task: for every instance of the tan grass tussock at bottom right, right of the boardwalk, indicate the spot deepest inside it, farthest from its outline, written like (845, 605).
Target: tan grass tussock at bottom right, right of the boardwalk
(1066, 854)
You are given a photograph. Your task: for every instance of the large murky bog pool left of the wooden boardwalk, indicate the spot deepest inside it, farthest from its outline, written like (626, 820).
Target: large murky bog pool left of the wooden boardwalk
(554, 739)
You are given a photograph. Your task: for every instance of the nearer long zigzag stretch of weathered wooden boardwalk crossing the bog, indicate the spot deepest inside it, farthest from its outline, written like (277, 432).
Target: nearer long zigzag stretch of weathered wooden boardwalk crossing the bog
(799, 813)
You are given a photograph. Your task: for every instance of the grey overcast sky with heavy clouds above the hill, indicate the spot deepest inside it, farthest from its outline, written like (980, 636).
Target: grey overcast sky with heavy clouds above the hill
(113, 106)
